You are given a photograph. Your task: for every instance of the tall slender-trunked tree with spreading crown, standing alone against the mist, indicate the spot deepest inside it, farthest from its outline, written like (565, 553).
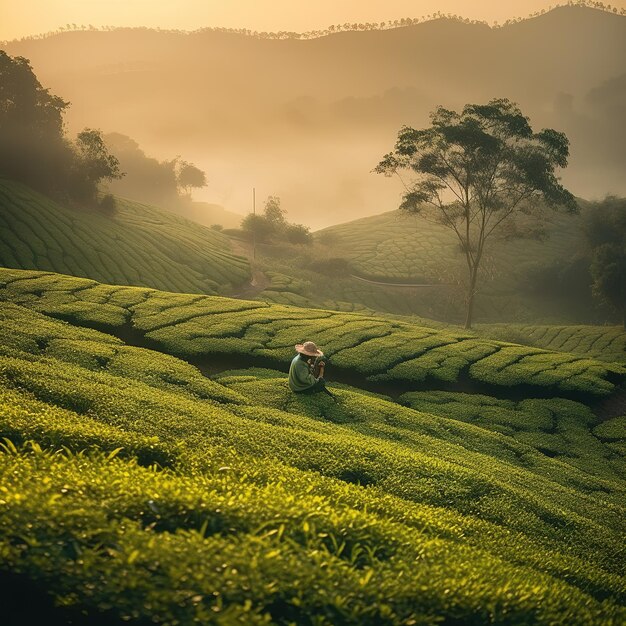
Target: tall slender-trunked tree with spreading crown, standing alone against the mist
(476, 170)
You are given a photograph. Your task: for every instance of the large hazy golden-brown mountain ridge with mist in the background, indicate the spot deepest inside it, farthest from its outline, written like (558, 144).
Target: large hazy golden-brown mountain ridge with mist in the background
(268, 113)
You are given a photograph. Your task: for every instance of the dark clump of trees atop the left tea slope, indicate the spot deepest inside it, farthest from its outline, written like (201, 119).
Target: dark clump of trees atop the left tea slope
(33, 146)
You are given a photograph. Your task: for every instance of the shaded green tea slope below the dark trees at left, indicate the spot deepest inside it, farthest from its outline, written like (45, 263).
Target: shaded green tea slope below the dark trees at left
(137, 245)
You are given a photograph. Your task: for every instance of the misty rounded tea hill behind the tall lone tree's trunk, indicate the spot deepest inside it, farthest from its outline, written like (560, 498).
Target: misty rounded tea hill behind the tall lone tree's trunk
(402, 264)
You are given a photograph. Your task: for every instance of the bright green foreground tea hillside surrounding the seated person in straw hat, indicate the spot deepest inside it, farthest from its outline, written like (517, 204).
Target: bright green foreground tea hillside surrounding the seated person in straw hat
(133, 489)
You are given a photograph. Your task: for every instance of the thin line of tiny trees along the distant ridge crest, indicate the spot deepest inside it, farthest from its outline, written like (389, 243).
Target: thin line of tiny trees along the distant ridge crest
(334, 28)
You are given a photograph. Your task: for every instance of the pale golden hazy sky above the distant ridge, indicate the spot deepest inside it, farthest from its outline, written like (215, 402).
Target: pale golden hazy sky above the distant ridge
(30, 17)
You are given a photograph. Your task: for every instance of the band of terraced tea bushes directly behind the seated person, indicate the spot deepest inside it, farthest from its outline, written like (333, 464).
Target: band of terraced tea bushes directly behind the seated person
(374, 350)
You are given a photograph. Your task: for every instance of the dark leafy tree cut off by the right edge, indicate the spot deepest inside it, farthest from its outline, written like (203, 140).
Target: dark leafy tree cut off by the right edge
(605, 228)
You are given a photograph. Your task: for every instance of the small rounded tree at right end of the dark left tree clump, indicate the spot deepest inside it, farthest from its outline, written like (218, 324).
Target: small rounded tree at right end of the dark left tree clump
(95, 163)
